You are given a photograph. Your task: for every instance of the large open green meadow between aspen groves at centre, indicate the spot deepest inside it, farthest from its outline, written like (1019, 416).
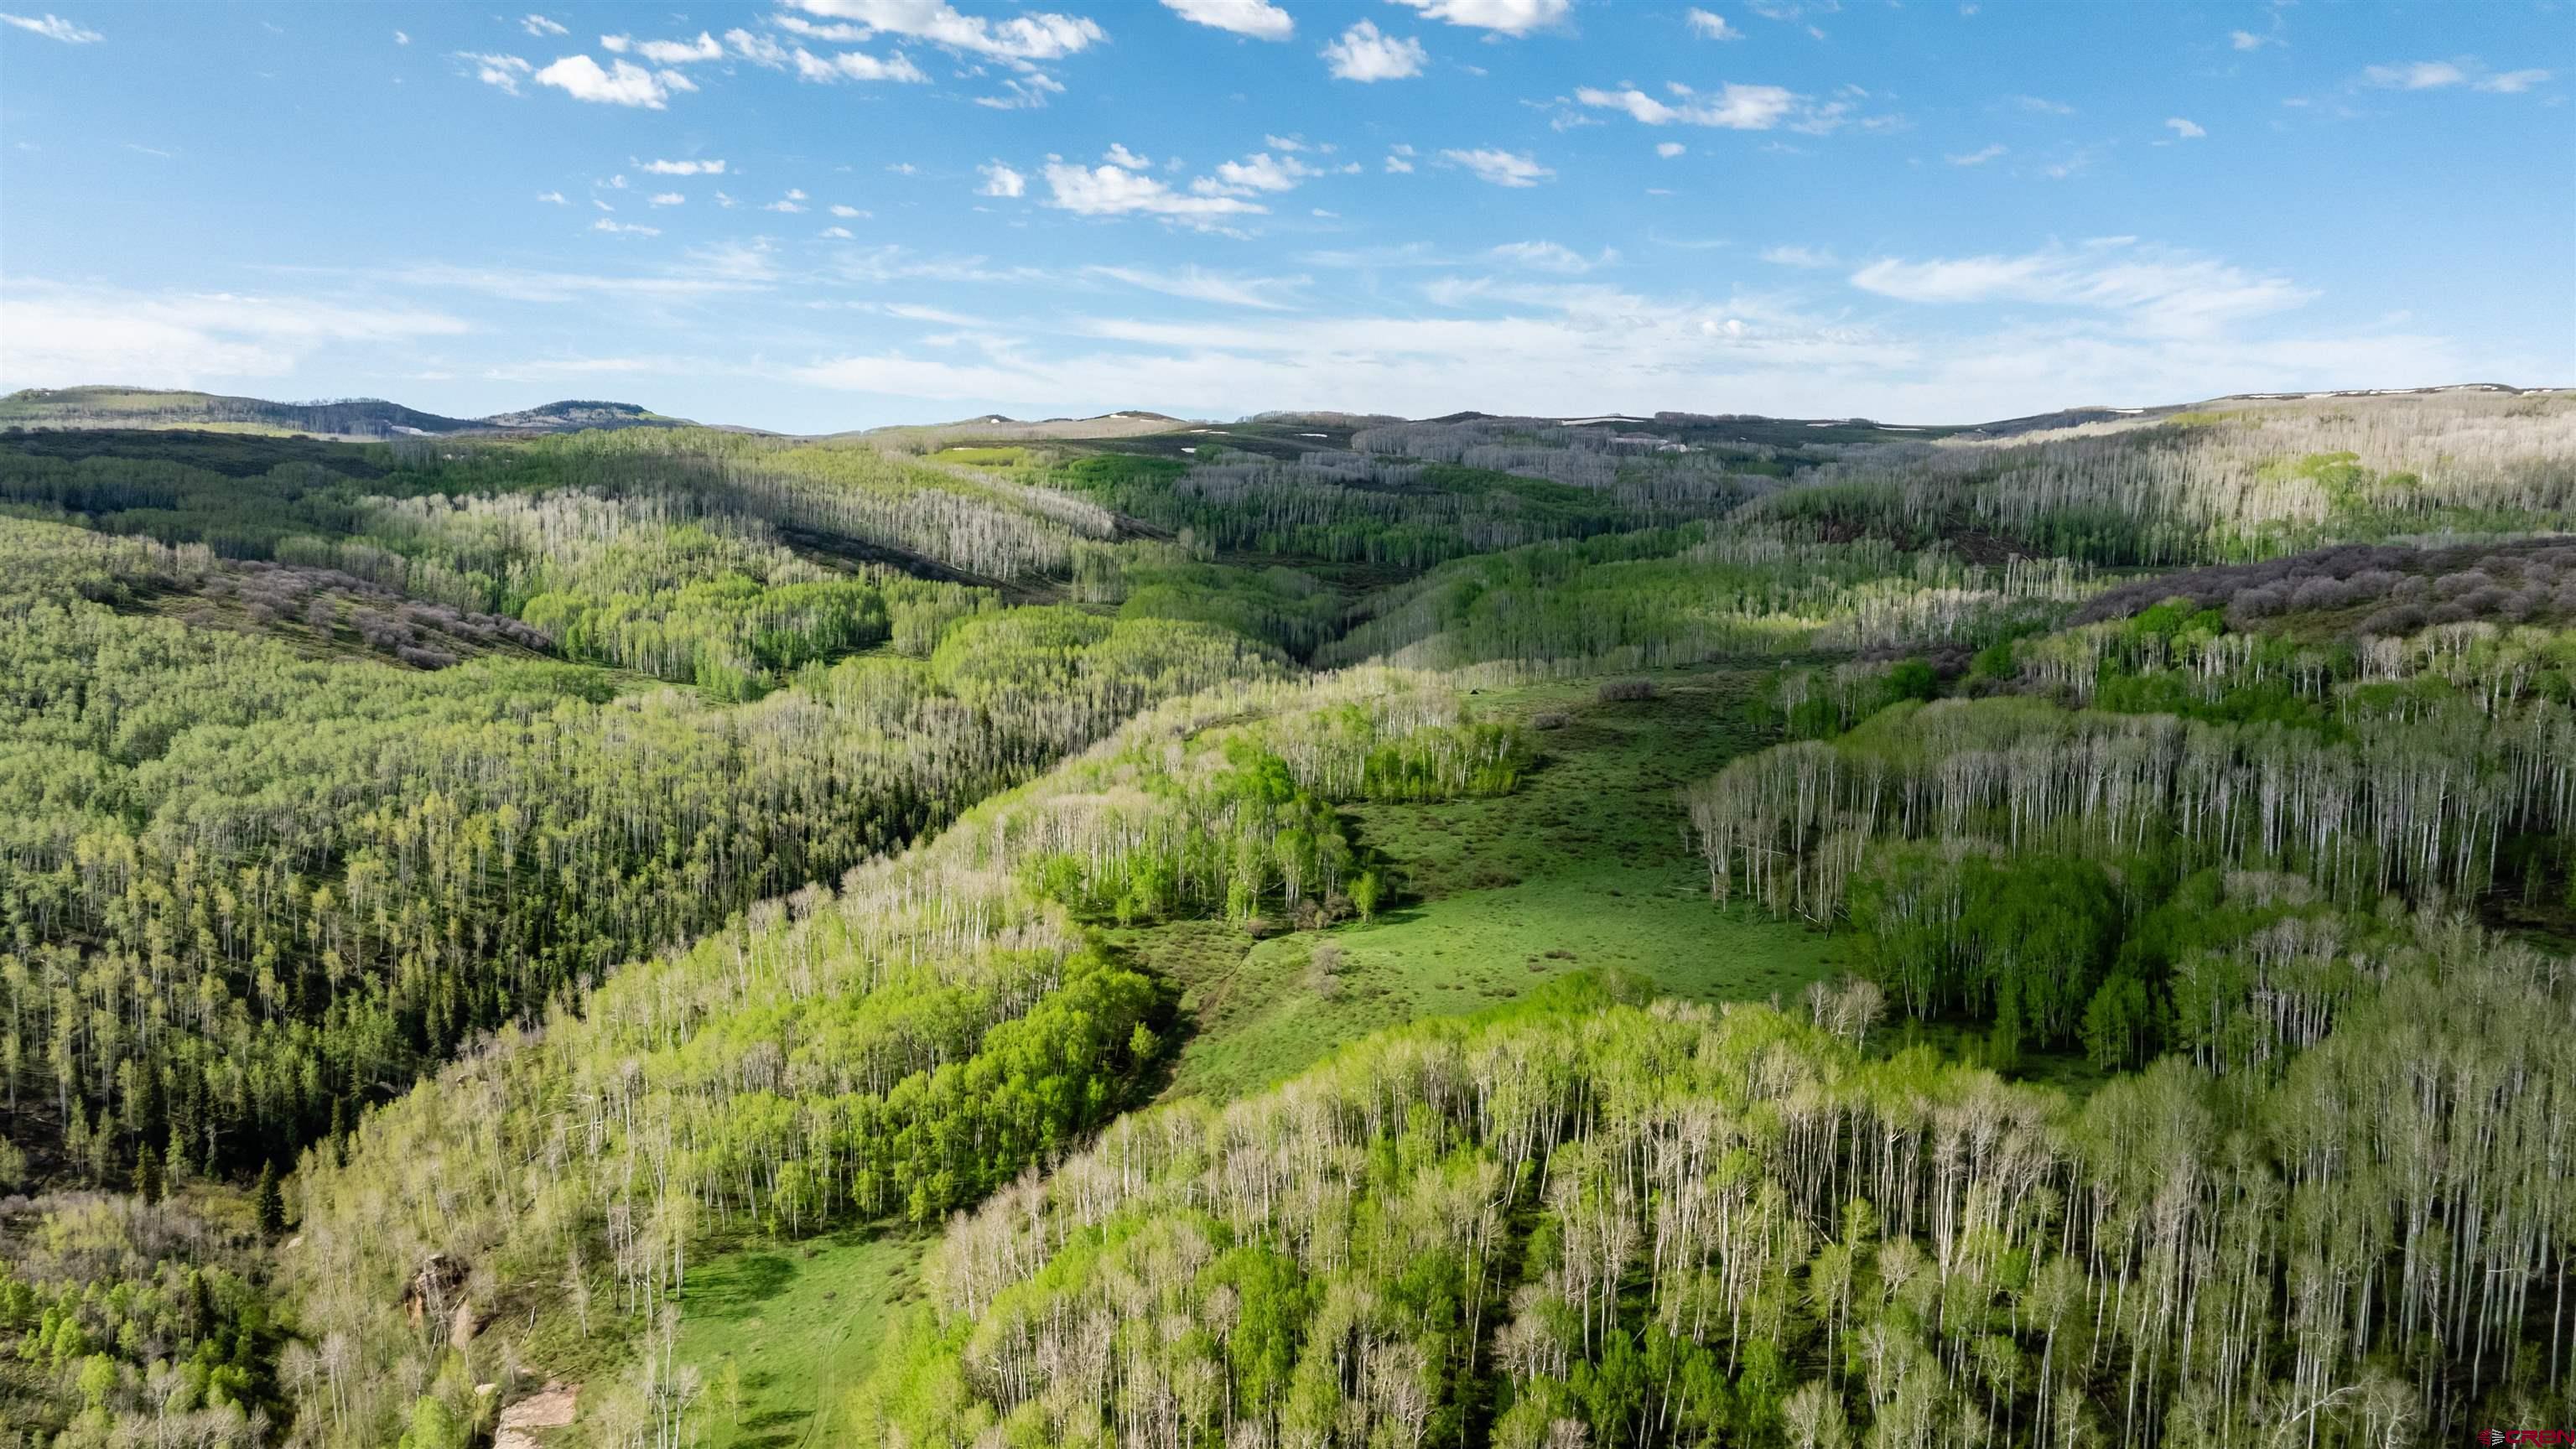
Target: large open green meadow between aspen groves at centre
(1588, 865)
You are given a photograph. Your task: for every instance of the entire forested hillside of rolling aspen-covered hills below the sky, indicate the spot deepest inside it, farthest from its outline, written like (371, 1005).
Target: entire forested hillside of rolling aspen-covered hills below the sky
(1315, 932)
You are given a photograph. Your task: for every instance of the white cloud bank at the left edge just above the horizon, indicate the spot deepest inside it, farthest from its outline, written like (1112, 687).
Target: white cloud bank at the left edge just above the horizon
(61, 336)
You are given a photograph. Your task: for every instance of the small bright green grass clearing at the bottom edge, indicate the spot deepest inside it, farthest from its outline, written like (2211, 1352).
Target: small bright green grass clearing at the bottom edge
(802, 1324)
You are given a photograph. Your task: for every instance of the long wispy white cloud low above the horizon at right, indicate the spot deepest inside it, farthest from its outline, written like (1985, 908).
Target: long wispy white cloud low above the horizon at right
(2152, 290)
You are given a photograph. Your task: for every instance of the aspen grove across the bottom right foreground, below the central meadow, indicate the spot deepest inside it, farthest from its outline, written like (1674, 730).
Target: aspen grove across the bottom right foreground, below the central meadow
(1704, 1229)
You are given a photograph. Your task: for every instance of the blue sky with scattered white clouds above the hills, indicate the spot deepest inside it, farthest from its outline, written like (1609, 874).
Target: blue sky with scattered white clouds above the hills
(820, 215)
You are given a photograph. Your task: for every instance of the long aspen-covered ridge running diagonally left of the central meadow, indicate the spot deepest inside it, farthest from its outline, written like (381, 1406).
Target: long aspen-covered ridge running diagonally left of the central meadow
(890, 1051)
